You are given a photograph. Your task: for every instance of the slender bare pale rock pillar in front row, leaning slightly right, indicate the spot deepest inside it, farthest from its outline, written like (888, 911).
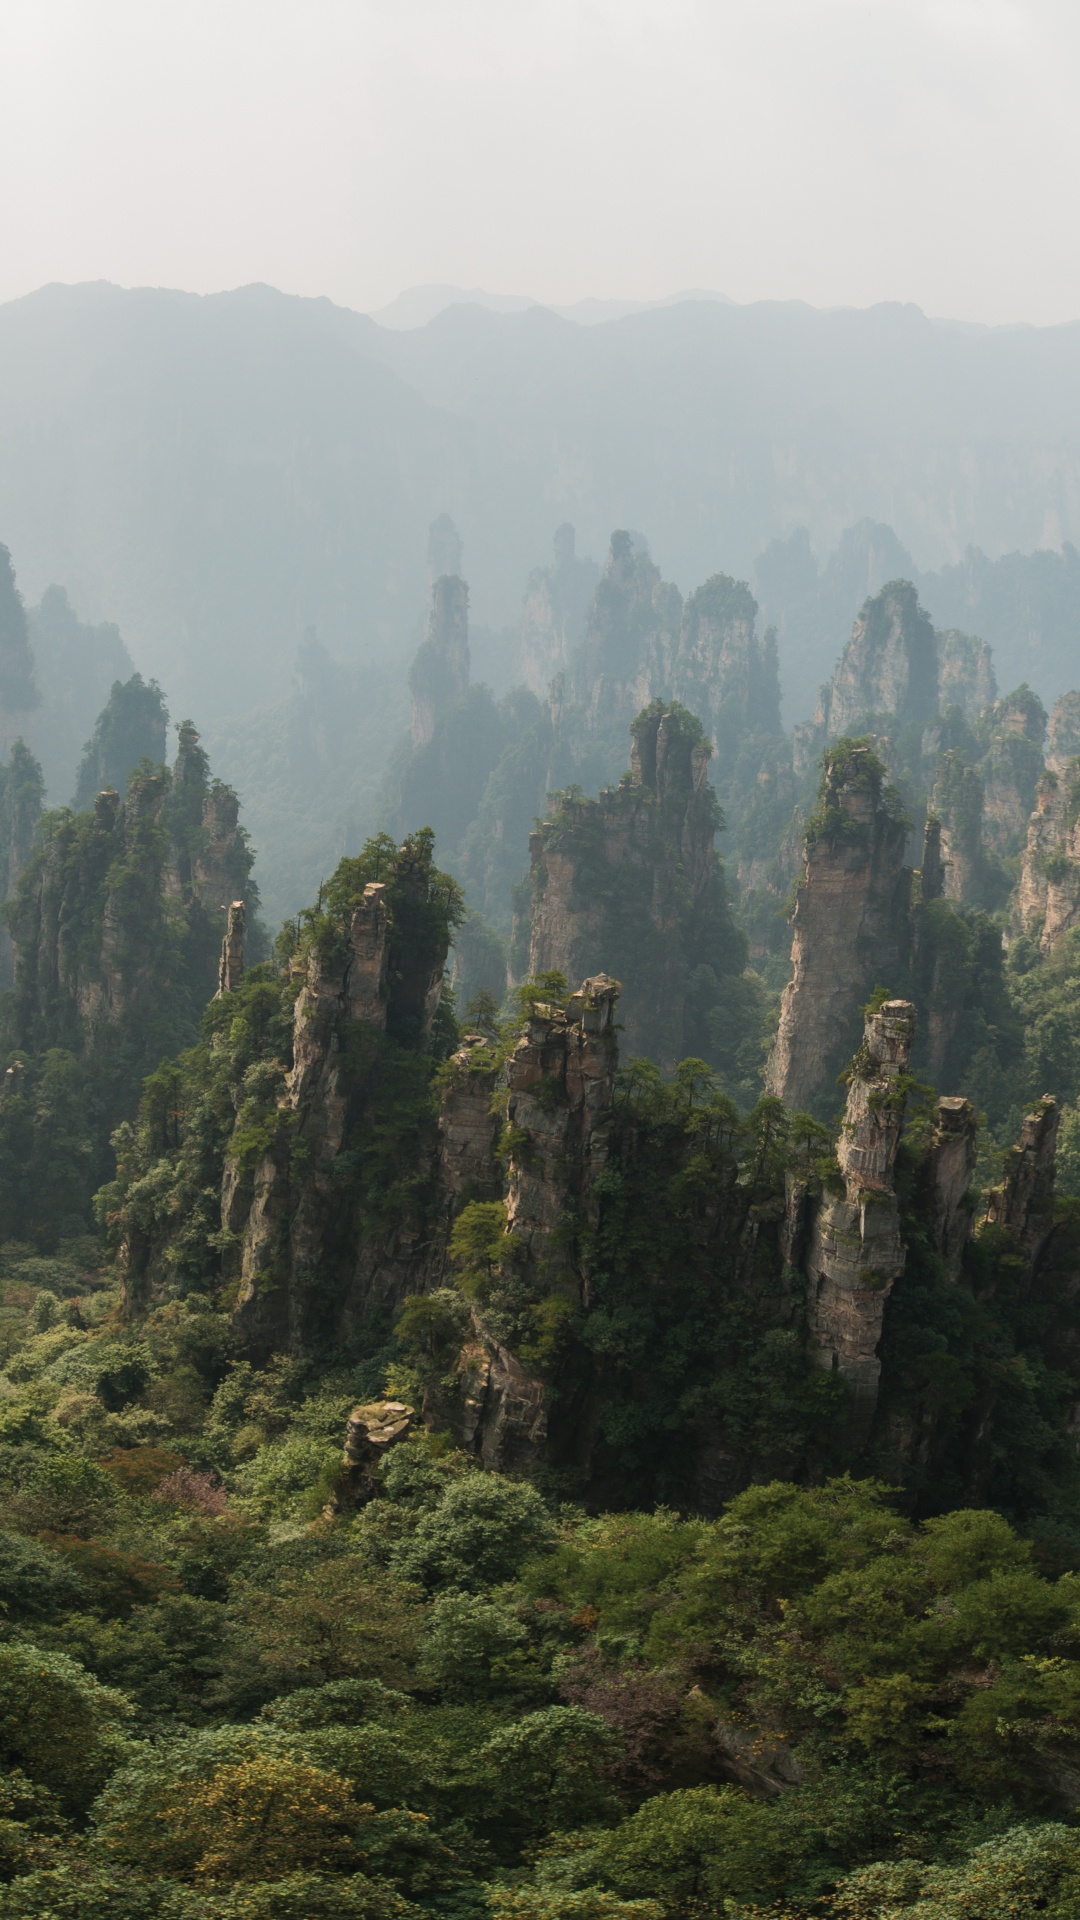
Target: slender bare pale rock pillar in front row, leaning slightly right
(856, 1253)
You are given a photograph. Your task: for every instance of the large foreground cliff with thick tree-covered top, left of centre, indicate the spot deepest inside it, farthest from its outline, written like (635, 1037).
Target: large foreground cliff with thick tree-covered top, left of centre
(308, 1253)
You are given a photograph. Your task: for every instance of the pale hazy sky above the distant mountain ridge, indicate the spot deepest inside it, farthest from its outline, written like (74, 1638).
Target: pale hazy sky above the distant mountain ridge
(831, 151)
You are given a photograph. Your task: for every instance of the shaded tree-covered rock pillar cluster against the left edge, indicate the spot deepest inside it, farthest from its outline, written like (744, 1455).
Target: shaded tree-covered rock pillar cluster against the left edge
(116, 917)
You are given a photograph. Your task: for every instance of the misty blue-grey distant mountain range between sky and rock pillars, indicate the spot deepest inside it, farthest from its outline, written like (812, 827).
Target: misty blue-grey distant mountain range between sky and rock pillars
(220, 475)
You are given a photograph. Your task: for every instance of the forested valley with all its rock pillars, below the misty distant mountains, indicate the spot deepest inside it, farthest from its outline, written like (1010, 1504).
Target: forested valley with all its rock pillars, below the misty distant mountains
(541, 1310)
